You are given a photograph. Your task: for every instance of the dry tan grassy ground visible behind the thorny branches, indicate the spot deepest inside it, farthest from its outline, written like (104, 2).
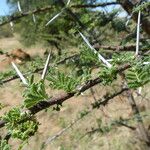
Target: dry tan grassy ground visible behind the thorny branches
(120, 138)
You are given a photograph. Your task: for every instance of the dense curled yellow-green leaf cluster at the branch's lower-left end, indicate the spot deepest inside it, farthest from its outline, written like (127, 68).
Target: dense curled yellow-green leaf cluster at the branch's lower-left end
(20, 124)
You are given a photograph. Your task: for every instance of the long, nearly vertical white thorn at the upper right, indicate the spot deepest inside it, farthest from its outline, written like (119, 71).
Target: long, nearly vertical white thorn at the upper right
(138, 34)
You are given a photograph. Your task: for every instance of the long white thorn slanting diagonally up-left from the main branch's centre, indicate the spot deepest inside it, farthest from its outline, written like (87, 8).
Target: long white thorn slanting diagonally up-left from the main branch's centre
(92, 48)
